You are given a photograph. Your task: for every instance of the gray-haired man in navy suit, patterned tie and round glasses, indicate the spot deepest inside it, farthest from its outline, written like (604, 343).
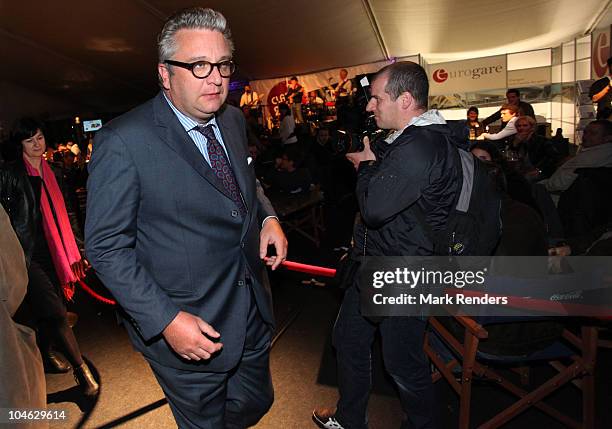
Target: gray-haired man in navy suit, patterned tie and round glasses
(177, 228)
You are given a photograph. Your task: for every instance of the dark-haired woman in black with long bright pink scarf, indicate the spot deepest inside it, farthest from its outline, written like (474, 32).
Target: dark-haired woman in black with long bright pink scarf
(33, 200)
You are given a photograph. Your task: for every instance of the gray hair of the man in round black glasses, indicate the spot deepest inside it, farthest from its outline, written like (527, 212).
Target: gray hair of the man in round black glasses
(192, 18)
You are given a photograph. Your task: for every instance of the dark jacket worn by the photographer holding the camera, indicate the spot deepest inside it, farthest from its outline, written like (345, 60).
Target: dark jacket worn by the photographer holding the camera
(406, 195)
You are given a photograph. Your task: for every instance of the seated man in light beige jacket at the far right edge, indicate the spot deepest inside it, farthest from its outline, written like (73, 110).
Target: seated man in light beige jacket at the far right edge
(596, 151)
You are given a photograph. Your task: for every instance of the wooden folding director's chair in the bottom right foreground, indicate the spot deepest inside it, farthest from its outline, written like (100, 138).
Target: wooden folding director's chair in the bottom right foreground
(572, 355)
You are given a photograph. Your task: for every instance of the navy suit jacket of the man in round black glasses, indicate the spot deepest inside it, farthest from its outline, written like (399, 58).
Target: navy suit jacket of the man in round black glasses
(163, 235)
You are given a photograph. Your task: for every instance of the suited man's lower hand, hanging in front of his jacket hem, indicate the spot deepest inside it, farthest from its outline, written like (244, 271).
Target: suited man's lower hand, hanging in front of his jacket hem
(187, 335)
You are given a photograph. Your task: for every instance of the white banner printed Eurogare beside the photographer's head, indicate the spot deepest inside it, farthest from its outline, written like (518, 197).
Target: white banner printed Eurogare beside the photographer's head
(467, 75)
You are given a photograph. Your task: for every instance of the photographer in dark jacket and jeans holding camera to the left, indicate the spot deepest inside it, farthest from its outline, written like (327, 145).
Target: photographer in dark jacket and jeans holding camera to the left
(405, 188)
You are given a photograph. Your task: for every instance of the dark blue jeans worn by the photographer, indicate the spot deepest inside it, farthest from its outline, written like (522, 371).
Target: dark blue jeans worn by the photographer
(404, 358)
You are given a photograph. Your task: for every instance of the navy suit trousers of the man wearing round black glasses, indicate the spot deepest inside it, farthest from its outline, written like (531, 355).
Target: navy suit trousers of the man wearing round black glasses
(234, 399)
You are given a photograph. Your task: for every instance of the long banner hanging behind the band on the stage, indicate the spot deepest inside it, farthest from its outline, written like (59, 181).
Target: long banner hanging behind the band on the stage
(271, 91)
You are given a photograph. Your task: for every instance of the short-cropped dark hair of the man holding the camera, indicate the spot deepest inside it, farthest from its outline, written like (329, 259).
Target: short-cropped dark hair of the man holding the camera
(406, 76)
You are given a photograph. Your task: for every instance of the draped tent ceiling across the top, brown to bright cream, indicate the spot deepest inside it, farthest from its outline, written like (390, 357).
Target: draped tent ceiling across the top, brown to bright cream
(102, 54)
